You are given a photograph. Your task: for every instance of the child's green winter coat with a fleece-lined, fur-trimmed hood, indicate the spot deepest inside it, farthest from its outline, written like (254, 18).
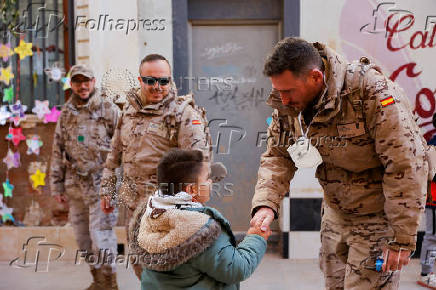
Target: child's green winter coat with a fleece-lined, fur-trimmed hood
(193, 249)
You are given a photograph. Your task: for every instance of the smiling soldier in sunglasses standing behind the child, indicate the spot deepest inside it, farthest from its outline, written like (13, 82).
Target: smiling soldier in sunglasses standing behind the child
(154, 121)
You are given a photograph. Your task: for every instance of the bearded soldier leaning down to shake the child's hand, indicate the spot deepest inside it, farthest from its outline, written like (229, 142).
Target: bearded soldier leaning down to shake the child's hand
(373, 171)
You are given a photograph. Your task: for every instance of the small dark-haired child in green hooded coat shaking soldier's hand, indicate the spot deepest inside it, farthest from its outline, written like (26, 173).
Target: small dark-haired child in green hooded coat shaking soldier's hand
(184, 244)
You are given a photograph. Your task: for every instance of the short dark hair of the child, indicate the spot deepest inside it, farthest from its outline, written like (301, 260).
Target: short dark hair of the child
(177, 168)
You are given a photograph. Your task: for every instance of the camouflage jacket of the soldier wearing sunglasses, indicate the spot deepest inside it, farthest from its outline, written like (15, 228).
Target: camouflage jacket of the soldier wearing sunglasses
(144, 134)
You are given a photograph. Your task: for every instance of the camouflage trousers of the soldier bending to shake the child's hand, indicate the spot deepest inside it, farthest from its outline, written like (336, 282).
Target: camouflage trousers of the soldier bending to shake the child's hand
(349, 249)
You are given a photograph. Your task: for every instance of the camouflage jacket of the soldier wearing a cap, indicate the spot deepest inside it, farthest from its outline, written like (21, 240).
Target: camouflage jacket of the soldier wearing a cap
(81, 144)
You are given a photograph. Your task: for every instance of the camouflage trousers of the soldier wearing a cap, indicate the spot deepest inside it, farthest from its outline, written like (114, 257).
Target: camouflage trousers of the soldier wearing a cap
(94, 232)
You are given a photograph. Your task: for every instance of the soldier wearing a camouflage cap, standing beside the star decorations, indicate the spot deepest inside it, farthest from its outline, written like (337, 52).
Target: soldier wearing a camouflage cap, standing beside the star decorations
(81, 144)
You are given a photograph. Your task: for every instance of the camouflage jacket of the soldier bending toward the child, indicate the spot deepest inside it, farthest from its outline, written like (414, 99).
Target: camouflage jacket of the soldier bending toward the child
(372, 151)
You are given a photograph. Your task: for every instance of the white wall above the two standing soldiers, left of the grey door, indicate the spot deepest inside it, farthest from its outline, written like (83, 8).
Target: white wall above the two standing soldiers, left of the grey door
(122, 47)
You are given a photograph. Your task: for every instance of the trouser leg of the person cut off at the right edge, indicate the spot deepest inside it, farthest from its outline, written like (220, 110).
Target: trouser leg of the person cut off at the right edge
(428, 250)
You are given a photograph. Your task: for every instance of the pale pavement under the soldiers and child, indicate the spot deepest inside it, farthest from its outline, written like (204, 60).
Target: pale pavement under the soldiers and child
(273, 273)
